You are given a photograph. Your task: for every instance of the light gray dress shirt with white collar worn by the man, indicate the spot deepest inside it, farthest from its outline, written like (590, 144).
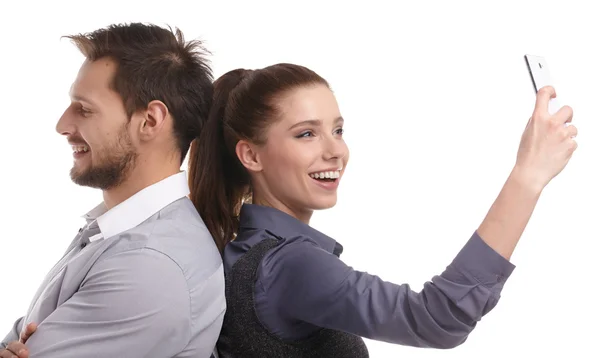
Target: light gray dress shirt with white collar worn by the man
(143, 279)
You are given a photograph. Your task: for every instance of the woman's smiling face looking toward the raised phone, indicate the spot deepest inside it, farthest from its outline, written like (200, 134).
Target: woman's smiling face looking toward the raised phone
(300, 165)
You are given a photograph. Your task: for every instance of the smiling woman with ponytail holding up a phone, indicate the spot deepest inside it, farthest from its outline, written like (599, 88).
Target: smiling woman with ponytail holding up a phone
(275, 138)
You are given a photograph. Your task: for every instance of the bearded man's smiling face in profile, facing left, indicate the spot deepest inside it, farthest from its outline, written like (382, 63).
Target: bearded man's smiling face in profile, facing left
(97, 127)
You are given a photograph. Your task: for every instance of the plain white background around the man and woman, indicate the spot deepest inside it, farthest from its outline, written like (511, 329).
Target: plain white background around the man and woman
(435, 96)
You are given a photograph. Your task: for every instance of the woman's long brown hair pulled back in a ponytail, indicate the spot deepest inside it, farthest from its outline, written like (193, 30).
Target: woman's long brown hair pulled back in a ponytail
(244, 105)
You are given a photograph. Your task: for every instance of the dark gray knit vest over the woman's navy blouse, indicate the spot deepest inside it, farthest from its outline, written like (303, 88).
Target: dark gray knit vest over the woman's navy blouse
(243, 335)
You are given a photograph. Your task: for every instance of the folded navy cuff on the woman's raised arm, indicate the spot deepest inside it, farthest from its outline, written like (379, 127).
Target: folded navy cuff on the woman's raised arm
(483, 263)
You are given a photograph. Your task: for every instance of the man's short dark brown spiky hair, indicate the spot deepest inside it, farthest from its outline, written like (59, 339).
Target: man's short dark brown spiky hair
(155, 63)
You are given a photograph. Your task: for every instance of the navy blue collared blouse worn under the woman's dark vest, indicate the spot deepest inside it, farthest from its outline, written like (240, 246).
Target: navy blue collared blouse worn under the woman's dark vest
(303, 285)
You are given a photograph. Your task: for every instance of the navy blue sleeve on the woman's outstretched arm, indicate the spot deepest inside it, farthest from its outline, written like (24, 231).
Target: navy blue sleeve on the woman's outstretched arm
(309, 284)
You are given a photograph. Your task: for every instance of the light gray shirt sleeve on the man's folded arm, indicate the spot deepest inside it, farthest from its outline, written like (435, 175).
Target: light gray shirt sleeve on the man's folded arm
(134, 303)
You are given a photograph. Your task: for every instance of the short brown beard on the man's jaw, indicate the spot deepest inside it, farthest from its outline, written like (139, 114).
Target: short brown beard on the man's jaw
(115, 164)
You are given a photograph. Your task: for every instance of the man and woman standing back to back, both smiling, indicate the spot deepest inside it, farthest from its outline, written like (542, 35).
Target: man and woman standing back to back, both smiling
(171, 265)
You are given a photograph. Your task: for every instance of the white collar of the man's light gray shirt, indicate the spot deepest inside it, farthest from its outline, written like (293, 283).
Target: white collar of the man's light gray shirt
(138, 208)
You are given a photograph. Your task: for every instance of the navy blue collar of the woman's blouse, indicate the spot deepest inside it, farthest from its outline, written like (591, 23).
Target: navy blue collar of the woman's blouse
(281, 224)
